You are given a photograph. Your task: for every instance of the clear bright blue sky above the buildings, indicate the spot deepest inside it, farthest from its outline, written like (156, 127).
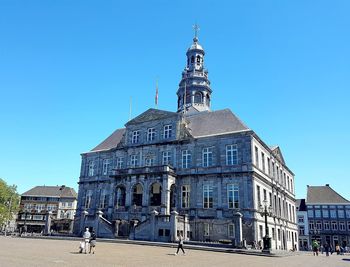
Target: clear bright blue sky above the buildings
(68, 69)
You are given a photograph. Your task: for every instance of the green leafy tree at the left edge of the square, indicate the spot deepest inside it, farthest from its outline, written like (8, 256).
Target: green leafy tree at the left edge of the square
(9, 203)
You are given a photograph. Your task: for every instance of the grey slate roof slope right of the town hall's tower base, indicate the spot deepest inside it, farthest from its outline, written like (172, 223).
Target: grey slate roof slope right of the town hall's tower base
(215, 123)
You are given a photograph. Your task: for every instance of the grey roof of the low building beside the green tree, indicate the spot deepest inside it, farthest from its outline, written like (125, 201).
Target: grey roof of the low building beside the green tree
(51, 191)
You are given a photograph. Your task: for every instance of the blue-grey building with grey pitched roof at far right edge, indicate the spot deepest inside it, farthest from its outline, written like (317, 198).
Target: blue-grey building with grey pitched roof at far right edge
(328, 216)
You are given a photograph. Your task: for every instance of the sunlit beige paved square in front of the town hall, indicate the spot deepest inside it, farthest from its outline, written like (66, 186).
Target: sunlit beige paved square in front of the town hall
(41, 252)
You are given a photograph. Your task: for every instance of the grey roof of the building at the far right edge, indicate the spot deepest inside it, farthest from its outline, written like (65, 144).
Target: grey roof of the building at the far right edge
(324, 194)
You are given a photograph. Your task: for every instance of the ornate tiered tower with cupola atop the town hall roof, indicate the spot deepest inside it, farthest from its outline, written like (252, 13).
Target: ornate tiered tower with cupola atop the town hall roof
(194, 93)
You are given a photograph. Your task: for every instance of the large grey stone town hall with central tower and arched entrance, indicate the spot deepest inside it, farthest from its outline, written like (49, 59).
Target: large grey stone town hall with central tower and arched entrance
(197, 172)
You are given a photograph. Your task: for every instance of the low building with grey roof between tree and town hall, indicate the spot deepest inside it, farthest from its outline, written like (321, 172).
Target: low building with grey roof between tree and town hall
(46, 208)
